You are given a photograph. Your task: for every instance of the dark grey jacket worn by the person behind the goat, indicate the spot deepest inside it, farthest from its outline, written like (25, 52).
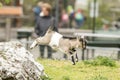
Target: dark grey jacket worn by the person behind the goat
(43, 23)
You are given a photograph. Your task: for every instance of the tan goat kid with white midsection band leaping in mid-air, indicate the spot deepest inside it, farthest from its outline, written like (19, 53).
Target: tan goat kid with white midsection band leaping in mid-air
(57, 42)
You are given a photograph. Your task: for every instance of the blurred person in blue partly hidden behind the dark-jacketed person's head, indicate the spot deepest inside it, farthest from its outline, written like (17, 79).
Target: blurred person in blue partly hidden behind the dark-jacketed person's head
(37, 10)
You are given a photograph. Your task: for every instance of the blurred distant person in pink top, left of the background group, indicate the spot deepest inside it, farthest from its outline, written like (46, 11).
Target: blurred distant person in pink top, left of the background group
(64, 19)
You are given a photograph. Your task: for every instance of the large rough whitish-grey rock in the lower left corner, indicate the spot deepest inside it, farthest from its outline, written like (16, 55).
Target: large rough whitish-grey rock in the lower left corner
(17, 63)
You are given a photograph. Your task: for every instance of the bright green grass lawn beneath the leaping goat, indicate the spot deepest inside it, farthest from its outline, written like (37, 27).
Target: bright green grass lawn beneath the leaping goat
(64, 70)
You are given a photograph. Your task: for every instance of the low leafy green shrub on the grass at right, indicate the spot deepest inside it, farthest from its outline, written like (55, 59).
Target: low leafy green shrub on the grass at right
(101, 61)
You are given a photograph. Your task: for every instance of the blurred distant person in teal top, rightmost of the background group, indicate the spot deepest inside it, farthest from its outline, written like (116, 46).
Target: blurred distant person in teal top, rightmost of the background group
(79, 18)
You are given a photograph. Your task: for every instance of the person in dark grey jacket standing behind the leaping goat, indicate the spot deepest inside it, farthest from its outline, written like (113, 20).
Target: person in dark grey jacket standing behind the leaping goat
(44, 21)
